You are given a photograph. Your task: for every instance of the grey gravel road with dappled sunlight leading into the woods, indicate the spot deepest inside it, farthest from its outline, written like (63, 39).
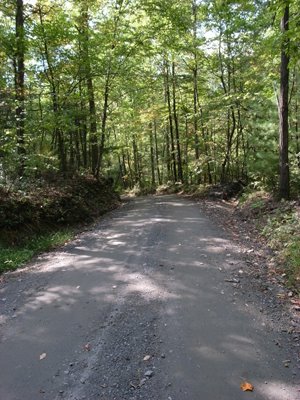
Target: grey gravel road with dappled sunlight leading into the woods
(139, 308)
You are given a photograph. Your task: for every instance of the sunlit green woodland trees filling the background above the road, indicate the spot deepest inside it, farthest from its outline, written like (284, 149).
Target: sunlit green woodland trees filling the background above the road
(151, 91)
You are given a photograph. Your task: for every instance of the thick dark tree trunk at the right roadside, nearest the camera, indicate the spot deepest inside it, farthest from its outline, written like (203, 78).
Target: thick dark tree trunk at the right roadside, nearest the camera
(283, 109)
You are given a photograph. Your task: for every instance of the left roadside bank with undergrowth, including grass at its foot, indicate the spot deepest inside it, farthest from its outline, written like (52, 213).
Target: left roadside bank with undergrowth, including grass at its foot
(37, 216)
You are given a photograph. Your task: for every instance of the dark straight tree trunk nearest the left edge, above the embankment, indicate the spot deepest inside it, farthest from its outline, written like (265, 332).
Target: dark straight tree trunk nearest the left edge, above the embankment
(20, 86)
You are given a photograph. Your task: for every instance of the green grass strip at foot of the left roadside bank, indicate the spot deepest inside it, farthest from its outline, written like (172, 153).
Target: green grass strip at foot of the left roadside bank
(14, 256)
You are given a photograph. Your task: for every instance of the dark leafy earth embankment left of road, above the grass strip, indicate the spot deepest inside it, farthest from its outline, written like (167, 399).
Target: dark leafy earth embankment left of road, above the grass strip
(43, 207)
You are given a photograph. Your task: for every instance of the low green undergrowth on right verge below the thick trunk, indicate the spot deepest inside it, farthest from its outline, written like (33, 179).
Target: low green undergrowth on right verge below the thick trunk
(279, 224)
